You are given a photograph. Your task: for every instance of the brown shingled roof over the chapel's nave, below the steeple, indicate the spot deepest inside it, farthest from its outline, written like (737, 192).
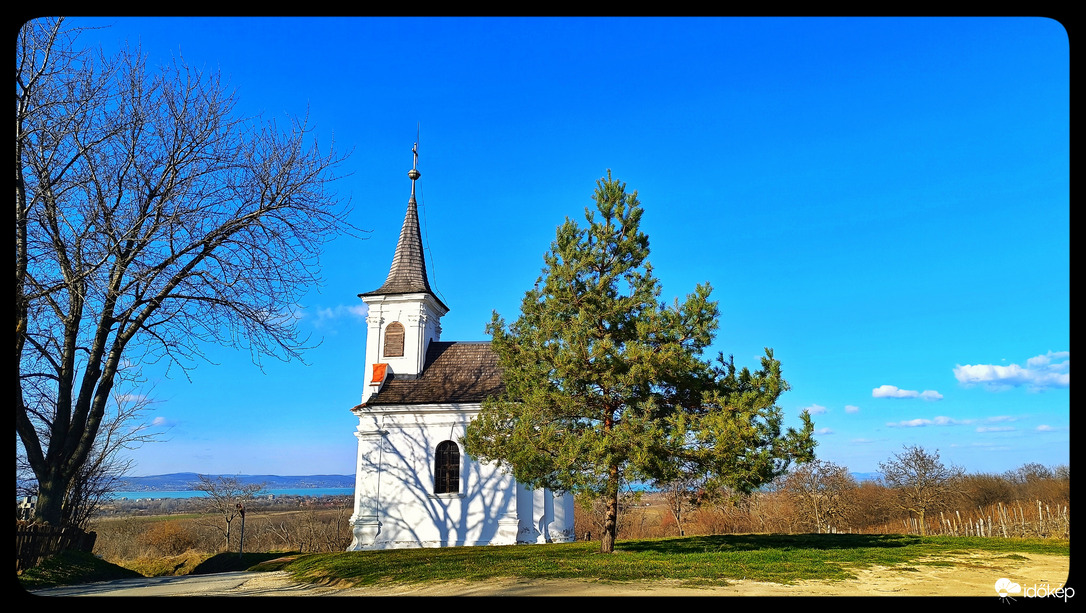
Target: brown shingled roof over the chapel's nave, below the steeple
(454, 372)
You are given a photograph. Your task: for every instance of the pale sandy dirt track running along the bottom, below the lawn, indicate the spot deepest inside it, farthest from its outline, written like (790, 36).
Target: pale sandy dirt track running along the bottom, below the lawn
(975, 576)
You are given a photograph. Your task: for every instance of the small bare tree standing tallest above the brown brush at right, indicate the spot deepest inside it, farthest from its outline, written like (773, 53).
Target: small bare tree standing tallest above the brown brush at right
(921, 482)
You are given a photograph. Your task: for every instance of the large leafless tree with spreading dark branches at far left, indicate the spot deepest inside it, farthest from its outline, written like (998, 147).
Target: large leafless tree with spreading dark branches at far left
(149, 220)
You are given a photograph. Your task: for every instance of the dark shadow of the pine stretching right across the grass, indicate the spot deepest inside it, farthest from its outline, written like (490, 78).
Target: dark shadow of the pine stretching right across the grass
(752, 543)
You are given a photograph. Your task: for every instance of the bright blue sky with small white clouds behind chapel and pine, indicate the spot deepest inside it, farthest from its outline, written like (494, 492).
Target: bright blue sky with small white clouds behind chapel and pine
(883, 202)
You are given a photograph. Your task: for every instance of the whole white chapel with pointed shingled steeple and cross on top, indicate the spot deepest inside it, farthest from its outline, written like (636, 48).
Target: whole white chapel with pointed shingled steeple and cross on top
(414, 485)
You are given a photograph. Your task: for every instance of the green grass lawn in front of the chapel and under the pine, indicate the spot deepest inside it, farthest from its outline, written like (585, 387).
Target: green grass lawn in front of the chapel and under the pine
(693, 561)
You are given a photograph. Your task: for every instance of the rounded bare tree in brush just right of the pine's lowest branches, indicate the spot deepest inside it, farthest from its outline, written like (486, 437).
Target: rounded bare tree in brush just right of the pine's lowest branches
(823, 492)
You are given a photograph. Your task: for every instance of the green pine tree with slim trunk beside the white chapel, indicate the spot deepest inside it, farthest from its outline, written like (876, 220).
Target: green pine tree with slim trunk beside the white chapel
(607, 384)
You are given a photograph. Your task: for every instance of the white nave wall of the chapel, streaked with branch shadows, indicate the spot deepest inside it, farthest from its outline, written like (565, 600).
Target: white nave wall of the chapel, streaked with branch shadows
(395, 502)
